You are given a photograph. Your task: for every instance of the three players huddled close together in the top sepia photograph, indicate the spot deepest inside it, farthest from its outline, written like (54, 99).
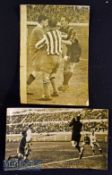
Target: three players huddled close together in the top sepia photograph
(49, 44)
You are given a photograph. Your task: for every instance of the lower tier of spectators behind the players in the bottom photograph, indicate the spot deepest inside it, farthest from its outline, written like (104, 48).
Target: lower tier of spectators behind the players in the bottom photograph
(57, 127)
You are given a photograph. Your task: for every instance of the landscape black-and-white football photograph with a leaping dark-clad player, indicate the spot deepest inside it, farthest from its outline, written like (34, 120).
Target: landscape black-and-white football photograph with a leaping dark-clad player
(38, 138)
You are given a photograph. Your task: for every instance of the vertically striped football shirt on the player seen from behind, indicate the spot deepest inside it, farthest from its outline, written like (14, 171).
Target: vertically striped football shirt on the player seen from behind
(53, 40)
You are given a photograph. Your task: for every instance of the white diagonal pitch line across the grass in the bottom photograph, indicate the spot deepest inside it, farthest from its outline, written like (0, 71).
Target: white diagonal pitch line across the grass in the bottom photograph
(61, 161)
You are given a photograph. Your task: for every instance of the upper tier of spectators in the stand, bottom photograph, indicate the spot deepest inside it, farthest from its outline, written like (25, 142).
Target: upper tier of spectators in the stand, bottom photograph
(56, 116)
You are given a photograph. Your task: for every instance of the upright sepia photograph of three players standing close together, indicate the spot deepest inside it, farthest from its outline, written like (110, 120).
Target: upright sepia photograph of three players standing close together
(54, 49)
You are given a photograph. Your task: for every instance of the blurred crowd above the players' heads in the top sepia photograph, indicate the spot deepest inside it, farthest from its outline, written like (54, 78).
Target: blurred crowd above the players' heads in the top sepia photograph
(74, 14)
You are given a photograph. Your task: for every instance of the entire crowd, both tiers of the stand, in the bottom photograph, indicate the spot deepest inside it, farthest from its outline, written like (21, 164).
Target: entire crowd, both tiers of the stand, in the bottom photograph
(58, 122)
